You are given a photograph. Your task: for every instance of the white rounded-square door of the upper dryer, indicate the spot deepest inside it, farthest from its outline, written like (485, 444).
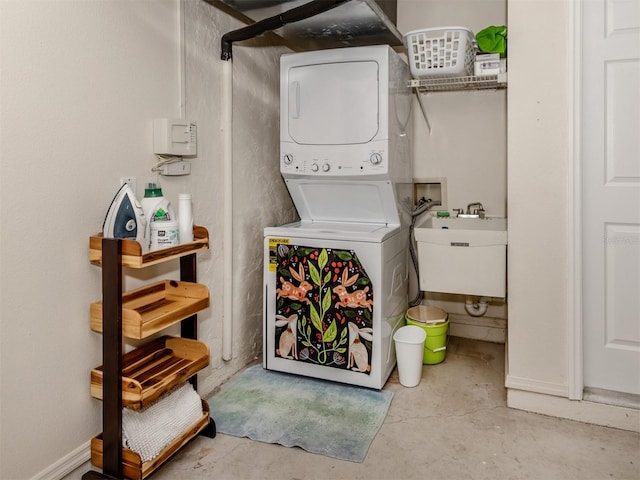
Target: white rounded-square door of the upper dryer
(333, 103)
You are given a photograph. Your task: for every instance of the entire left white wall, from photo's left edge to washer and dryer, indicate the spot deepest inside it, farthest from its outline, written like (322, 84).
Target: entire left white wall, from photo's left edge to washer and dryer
(81, 83)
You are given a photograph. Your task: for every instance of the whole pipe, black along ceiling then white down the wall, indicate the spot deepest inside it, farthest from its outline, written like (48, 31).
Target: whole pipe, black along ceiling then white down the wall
(295, 14)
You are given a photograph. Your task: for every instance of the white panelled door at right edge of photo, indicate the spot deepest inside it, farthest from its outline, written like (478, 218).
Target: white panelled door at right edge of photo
(611, 195)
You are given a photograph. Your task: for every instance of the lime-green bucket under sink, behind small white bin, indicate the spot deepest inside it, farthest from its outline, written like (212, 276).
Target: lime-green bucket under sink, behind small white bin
(435, 322)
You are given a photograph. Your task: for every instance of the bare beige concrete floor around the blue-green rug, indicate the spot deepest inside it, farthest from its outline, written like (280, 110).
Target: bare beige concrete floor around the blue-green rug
(454, 425)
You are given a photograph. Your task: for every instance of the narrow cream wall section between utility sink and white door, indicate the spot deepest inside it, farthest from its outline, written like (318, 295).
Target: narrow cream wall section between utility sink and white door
(538, 196)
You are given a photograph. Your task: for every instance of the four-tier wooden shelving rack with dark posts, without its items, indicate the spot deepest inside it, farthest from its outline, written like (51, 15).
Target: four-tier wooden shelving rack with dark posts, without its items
(141, 376)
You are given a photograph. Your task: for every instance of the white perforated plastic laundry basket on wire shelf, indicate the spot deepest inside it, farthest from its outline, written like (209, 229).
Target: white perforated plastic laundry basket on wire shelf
(440, 51)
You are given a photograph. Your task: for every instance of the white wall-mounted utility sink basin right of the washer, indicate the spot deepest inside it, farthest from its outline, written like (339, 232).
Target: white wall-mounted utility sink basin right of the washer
(462, 255)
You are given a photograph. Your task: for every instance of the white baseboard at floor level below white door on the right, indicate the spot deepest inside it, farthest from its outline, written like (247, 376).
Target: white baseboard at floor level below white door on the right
(578, 410)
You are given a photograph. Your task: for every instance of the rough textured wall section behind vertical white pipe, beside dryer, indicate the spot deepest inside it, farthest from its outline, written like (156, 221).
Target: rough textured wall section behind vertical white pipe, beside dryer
(260, 196)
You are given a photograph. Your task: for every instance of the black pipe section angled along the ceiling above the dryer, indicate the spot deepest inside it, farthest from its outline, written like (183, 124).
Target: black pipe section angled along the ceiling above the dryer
(296, 14)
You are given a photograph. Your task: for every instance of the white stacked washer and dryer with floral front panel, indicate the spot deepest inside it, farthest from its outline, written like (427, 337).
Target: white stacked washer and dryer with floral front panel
(336, 281)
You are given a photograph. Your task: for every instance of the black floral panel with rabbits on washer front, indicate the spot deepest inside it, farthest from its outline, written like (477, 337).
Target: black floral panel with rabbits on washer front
(324, 308)
